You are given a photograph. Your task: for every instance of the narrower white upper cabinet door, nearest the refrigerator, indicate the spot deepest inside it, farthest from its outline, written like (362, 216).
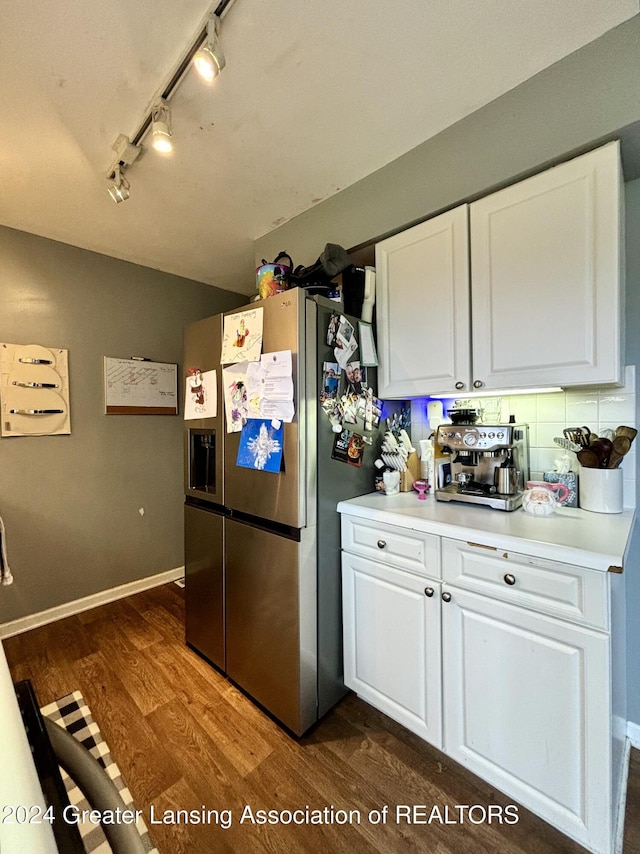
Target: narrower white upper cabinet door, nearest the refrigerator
(422, 284)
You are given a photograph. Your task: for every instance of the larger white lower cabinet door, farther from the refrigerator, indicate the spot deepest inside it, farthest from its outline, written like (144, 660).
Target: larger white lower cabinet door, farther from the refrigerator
(527, 701)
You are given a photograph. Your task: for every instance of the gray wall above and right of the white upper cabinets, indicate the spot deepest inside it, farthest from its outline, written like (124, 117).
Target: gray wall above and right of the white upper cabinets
(588, 97)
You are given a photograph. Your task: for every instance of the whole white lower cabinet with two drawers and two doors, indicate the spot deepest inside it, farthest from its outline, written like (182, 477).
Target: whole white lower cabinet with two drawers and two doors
(502, 660)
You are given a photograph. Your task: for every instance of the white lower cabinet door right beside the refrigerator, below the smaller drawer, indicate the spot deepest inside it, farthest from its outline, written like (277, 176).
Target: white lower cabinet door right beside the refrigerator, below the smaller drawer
(392, 652)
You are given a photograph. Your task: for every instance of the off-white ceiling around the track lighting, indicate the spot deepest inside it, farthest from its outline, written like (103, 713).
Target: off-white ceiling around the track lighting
(315, 96)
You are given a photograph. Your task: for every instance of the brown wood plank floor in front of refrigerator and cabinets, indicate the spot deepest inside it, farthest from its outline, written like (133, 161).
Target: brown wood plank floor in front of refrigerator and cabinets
(186, 739)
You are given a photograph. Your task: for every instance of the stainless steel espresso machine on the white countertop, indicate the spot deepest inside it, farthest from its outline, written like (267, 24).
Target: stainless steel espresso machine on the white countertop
(482, 464)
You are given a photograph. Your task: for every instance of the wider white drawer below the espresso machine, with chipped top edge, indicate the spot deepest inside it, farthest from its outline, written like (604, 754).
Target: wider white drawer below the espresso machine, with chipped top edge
(559, 589)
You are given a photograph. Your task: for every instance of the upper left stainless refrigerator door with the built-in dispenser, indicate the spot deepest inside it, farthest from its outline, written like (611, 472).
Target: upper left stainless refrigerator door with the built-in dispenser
(204, 437)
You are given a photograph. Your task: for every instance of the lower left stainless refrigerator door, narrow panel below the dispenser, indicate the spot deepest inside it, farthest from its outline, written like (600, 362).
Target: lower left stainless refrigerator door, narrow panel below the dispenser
(204, 583)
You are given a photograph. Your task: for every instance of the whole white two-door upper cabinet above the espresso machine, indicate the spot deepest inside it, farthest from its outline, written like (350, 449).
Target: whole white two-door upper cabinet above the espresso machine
(544, 286)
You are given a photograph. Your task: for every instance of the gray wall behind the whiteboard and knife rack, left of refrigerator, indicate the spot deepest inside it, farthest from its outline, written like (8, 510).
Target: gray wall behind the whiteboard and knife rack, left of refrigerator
(70, 503)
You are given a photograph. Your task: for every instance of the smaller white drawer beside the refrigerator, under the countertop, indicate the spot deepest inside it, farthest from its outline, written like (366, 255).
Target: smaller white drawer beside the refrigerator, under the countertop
(401, 547)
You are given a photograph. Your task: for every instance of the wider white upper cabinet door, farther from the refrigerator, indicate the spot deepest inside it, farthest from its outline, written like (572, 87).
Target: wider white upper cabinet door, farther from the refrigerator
(546, 277)
